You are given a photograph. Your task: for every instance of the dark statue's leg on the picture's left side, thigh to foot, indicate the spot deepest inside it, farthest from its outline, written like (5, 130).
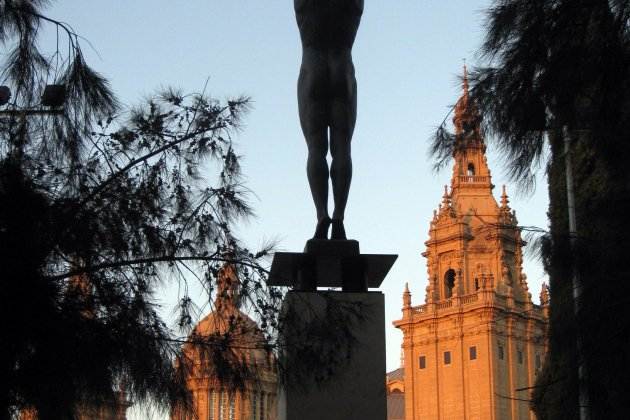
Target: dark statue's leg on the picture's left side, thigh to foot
(313, 119)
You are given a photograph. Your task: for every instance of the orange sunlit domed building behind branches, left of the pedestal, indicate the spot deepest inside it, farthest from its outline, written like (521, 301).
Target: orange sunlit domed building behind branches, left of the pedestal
(212, 399)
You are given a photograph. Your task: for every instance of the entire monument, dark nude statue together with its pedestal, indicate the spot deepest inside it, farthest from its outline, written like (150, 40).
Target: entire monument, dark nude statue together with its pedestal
(327, 102)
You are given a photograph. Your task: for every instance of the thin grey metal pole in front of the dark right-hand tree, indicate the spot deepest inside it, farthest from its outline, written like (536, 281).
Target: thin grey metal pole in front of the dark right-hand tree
(576, 284)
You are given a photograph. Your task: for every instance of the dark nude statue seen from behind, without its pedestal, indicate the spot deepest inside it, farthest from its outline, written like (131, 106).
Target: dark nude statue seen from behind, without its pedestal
(327, 102)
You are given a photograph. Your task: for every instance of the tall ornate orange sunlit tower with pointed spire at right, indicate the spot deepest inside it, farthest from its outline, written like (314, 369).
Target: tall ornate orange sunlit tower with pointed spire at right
(473, 350)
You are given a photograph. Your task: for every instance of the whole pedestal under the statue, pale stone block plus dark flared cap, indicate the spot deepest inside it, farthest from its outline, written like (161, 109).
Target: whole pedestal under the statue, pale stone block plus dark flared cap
(333, 341)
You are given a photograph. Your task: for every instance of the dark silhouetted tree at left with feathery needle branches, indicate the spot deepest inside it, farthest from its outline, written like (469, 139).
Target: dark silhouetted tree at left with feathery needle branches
(99, 207)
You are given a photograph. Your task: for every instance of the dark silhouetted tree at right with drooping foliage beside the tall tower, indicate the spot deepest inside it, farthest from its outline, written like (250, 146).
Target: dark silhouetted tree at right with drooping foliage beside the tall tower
(549, 65)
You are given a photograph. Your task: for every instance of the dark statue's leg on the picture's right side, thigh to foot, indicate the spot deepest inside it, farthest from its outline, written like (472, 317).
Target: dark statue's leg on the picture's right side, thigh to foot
(343, 119)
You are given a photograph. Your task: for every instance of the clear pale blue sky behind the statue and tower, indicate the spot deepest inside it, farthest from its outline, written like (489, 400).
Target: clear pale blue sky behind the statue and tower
(408, 55)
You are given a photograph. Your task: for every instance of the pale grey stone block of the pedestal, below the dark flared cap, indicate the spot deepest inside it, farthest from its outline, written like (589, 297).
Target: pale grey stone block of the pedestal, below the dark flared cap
(356, 386)
